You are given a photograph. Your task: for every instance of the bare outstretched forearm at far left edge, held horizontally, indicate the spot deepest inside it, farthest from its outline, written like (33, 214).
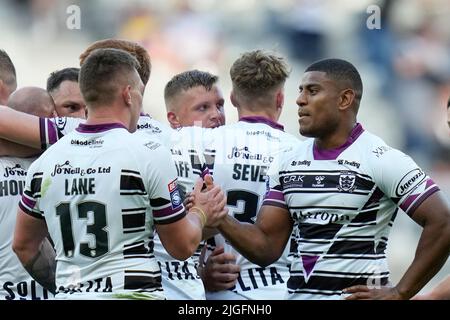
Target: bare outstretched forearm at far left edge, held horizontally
(20, 127)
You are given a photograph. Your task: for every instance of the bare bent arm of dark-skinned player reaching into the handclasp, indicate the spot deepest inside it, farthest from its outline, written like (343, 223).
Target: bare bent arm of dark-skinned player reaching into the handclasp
(263, 242)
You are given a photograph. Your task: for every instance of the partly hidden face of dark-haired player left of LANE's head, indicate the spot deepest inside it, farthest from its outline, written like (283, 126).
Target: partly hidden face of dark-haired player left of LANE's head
(68, 100)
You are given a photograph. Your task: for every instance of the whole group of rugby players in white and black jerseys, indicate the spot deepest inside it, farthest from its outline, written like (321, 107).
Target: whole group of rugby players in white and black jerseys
(116, 205)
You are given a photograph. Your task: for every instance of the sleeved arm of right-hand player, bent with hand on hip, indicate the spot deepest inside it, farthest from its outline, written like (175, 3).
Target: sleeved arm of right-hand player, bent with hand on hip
(419, 197)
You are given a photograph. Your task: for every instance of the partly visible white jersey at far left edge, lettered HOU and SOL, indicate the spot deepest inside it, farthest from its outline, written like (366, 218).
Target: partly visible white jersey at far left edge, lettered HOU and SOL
(15, 282)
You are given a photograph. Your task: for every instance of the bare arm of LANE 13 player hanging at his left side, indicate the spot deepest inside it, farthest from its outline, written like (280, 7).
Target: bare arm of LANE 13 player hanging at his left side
(34, 250)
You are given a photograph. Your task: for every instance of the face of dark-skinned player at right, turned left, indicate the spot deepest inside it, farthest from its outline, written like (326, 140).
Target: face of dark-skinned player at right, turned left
(318, 105)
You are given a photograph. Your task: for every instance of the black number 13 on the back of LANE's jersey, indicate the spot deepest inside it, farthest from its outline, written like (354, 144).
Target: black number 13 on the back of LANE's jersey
(97, 228)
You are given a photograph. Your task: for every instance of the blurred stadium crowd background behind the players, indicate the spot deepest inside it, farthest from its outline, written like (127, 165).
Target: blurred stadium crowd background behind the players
(405, 64)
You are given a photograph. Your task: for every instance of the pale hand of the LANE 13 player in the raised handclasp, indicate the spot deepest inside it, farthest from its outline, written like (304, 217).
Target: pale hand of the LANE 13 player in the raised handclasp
(212, 201)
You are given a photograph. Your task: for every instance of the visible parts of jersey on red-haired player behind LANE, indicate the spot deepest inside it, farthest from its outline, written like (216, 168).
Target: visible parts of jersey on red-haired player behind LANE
(179, 278)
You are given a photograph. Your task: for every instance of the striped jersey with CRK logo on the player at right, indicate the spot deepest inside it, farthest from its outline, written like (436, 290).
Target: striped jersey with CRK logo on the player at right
(344, 203)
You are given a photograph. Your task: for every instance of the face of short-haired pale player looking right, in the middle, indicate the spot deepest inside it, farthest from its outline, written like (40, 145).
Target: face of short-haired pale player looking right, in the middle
(200, 107)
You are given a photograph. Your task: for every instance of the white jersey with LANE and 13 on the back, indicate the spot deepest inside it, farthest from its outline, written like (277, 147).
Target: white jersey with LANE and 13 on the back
(100, 190)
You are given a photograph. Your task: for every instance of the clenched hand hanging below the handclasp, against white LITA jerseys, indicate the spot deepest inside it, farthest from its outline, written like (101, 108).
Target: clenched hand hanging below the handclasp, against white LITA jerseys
(220, 271)
